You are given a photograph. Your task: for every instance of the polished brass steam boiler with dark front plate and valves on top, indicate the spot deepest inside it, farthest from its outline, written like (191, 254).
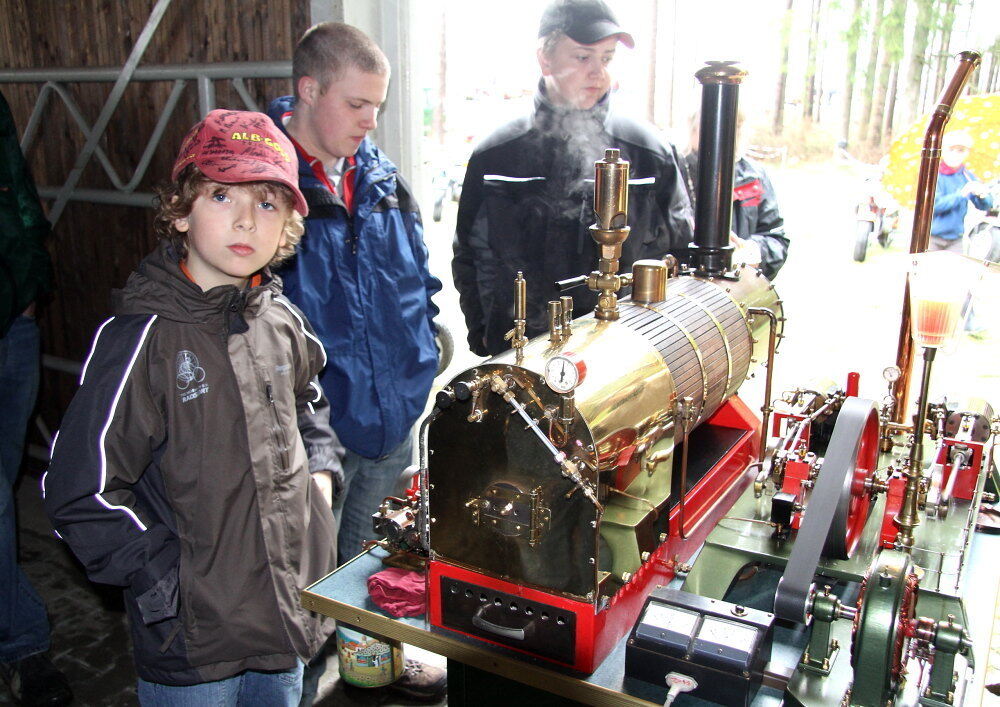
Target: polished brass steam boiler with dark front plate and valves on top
(565, 492)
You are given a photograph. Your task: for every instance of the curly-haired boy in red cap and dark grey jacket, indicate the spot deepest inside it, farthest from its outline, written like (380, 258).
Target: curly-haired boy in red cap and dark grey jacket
(182, 469)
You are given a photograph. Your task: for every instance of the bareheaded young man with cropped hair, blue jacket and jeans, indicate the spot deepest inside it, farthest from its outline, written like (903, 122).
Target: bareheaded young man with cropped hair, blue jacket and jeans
(361, 277)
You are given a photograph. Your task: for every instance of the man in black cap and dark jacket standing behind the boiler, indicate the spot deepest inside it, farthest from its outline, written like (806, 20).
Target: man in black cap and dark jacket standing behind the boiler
(527, 200)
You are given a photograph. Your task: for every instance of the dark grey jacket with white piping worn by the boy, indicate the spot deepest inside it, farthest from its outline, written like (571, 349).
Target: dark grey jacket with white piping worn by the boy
(180, 474)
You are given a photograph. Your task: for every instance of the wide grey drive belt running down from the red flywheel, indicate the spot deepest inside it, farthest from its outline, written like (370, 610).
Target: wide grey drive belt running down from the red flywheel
(795, 586)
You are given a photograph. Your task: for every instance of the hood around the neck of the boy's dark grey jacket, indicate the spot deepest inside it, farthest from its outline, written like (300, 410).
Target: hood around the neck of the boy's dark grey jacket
(158, 286)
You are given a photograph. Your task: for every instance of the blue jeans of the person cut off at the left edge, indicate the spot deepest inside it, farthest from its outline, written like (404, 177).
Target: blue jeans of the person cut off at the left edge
(24, 626)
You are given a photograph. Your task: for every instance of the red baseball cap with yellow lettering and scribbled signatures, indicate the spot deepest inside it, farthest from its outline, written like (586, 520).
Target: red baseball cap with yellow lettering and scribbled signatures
(233, 146)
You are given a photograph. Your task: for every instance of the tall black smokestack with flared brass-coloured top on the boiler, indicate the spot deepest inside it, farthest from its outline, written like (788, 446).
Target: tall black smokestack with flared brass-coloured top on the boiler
(711, 252)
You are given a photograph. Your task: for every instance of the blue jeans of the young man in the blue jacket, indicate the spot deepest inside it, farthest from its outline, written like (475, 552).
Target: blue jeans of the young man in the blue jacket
(366, 483)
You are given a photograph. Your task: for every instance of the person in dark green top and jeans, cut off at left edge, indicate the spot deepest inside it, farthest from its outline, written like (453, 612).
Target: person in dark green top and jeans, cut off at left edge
(25, 276)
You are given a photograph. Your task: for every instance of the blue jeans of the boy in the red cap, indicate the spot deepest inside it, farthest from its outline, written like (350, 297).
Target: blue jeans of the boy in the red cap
(249, 688)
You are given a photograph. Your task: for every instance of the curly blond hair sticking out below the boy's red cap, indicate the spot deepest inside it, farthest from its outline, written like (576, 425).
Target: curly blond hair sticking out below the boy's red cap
(175, 200)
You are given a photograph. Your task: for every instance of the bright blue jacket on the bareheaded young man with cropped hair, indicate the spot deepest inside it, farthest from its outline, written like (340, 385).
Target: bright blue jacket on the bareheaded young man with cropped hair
(362, 281)
